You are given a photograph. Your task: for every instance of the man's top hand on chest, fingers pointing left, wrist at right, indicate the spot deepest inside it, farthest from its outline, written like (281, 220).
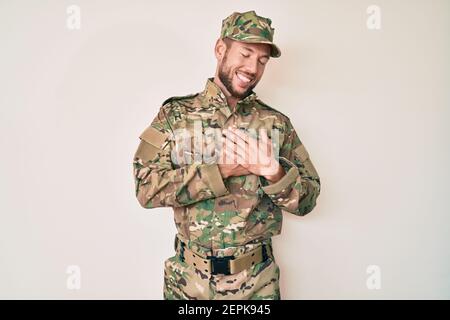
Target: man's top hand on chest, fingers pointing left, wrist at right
(256, 157)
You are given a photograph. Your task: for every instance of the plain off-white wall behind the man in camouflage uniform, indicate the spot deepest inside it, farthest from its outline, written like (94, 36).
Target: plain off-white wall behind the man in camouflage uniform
(371, 106)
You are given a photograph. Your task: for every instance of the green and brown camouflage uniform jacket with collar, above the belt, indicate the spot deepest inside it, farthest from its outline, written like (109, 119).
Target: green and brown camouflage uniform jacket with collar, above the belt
(209, 210)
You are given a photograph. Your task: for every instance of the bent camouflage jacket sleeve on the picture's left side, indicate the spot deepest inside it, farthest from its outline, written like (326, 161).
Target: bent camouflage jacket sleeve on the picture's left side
(158, 183)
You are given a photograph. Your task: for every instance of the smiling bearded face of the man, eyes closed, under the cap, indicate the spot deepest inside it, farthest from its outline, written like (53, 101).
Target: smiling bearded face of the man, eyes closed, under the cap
(243, 66)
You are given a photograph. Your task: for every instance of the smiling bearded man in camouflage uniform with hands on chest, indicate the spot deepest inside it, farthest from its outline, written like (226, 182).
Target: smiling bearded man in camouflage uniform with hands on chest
(238, 165)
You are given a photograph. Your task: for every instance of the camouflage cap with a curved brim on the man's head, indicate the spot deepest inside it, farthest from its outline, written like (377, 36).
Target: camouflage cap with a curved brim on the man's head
(249, 27)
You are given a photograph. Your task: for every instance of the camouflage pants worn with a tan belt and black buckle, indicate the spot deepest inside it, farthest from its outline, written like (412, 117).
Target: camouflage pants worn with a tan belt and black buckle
(184, 282)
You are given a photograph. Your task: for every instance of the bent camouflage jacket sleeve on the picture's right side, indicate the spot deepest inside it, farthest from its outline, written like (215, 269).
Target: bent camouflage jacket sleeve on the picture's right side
(298, 189)
